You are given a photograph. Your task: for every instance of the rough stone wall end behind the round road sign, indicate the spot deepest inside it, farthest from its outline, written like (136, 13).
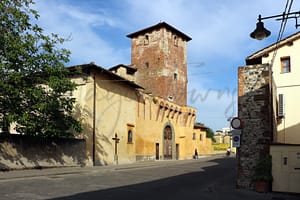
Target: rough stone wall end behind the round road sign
(255, 111)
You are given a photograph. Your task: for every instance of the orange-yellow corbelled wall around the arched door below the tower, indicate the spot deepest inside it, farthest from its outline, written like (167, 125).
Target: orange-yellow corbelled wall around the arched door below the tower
(154, 114)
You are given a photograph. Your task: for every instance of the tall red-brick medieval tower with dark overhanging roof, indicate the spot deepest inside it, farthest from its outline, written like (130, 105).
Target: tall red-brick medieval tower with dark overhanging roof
(159, 54)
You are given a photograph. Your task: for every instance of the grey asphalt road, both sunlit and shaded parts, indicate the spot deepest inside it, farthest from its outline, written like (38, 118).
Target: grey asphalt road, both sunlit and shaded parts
(208, 178)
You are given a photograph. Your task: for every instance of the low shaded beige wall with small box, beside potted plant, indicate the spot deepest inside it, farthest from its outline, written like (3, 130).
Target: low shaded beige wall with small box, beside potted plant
(285, 167)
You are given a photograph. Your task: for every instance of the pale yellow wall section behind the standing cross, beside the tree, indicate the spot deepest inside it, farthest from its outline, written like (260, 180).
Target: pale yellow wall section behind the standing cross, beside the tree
(115, 112)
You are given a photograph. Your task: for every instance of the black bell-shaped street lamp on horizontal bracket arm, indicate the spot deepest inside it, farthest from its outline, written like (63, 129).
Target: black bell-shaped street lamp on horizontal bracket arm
(261, 32)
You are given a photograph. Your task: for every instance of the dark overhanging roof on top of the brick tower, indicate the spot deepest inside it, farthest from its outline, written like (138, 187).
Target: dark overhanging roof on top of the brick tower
(158, 26)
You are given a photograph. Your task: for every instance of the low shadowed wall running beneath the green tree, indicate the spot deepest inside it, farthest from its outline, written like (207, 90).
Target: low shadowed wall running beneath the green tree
(21, 152)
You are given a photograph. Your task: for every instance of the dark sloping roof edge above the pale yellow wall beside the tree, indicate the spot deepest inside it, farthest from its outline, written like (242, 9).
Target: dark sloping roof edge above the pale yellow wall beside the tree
(87, 67)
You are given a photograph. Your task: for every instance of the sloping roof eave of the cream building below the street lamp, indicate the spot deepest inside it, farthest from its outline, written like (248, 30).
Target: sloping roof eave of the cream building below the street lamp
(270, 48)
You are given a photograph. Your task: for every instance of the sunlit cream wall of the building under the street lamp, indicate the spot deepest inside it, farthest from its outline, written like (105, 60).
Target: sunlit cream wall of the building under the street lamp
(287, 84)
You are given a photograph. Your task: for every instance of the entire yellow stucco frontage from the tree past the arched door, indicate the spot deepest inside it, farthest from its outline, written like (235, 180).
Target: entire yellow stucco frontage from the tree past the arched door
(120, 108)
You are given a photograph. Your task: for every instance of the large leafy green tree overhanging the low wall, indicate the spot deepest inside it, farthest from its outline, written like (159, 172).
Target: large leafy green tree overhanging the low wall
(33, 79)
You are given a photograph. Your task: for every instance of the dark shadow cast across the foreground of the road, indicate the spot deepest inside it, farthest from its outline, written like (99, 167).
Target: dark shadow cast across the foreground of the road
(215, 182)
